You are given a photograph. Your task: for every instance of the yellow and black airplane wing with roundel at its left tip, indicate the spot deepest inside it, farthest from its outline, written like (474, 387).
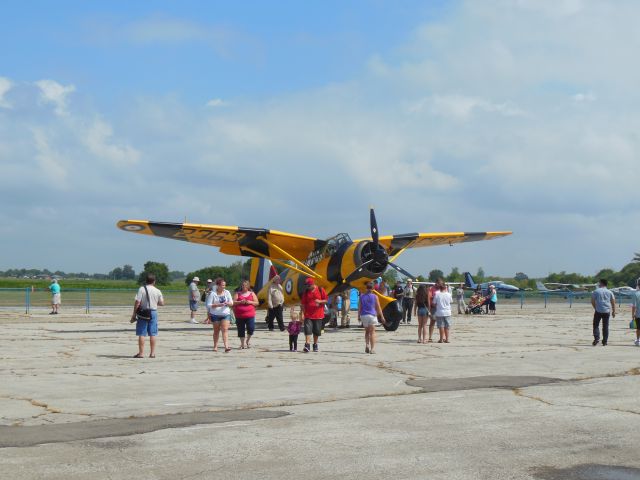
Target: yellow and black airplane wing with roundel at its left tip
(249, 242)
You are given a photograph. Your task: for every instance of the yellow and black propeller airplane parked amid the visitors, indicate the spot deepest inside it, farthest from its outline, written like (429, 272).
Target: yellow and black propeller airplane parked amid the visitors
(337, 263)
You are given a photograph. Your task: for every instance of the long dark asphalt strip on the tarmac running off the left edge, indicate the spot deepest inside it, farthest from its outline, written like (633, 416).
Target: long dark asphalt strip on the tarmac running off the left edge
(17, 436)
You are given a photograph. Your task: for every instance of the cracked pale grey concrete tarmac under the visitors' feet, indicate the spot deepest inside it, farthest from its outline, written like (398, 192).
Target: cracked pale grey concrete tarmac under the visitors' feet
(519, 395)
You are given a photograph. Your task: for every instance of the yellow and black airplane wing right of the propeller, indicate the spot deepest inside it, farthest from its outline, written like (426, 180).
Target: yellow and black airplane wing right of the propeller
(397, 243)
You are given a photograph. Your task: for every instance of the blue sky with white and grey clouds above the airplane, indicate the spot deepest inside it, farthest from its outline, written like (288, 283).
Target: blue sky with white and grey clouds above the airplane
(445, 116)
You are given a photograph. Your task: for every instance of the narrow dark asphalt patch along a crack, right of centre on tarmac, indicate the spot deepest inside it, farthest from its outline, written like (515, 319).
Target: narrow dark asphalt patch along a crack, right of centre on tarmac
(429, 385)
